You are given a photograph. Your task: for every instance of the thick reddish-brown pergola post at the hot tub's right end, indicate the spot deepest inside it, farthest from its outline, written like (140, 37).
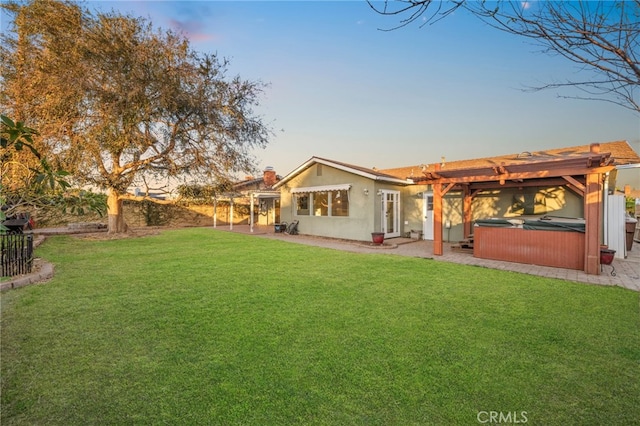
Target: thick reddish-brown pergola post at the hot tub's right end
(592, 208)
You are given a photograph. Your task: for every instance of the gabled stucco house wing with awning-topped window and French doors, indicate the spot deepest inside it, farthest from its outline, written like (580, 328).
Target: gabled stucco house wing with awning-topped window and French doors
(339, 200)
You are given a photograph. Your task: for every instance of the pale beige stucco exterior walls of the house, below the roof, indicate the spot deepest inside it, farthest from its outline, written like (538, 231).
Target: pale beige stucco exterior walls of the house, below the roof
(365, 212)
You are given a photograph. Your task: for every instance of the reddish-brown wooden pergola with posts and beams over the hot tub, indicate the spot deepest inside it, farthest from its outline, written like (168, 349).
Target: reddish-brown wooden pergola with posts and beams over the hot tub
(581, 173)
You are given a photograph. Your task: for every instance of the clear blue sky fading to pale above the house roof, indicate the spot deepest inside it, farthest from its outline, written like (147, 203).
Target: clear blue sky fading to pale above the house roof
(342, 89)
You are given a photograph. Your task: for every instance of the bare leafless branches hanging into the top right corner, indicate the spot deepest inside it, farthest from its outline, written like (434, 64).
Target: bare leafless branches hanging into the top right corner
(601, 37)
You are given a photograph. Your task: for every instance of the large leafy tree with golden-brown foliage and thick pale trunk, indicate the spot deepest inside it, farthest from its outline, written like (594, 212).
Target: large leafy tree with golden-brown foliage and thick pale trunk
(120, 104)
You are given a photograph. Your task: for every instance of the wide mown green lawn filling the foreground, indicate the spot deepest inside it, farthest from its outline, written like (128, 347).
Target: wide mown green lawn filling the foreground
(199, 326)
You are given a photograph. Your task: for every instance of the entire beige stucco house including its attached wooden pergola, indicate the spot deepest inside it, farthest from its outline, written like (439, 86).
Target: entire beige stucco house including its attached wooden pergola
(443, 200)
